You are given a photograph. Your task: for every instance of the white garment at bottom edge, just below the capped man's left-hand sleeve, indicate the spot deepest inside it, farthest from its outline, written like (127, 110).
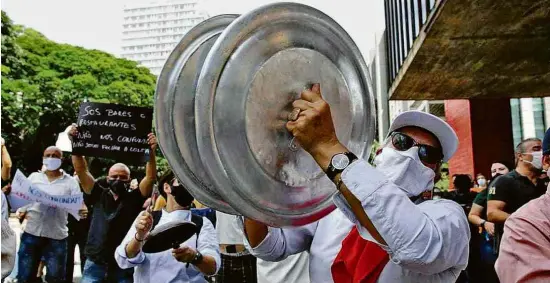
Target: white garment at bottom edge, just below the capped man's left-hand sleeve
(294, 268)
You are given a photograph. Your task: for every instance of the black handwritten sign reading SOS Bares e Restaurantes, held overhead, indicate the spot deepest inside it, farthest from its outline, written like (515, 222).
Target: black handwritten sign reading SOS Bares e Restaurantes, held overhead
(113, 131)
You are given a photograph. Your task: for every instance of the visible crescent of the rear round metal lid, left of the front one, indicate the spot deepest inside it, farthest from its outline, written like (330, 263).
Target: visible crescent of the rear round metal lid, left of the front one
(174, 110)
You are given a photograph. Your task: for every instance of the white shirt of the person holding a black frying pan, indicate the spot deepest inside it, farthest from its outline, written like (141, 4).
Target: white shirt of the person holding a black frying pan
(163, 267)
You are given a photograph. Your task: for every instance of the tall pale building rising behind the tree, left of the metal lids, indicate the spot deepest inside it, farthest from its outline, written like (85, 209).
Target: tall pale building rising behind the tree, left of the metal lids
(152, 29)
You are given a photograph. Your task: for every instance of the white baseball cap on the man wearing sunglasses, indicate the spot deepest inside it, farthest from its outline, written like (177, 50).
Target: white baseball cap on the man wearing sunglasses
(445, 134)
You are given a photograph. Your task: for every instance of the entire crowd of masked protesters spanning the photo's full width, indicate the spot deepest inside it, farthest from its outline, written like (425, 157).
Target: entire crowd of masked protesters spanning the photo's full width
(508, 215)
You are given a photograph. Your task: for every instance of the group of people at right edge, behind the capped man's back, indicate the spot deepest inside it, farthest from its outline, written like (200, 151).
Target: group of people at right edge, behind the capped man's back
(509, 217)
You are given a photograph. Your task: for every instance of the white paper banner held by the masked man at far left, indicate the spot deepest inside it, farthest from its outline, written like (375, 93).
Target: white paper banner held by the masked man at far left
(22, 188)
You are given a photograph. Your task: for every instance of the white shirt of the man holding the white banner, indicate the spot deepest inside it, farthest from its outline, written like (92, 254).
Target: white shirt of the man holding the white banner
(44, 221)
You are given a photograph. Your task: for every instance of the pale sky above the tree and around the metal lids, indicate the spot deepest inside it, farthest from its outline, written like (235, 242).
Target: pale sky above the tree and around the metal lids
(97, 24)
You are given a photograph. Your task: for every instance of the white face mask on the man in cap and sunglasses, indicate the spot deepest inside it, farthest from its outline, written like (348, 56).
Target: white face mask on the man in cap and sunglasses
(405, 169)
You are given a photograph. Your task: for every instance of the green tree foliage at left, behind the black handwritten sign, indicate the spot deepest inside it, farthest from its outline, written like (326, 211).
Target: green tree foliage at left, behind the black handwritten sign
(44, 82)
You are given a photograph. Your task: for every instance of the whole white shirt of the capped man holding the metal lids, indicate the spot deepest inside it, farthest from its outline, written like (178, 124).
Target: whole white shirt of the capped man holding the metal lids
(427, 242)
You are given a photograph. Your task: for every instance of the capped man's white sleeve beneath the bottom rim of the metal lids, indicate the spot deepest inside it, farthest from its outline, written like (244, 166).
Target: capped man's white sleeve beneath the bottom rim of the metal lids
(282, 242)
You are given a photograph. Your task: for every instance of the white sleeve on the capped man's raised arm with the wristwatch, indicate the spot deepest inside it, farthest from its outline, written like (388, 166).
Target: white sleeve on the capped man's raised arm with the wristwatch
(427, 238)
